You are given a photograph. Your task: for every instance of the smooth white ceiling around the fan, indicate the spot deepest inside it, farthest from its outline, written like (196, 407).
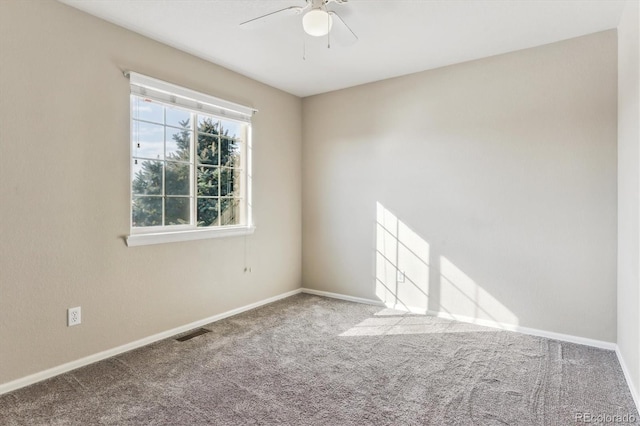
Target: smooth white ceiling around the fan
(396, 37)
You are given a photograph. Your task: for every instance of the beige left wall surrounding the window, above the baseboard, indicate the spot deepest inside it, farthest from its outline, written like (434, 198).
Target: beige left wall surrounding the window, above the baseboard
(64, 186)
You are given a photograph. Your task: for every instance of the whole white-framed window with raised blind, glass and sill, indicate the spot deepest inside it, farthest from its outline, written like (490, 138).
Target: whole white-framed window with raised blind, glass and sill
(190, 164)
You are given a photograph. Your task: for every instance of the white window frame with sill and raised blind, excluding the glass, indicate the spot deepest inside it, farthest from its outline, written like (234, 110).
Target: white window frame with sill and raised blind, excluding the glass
(199, 103)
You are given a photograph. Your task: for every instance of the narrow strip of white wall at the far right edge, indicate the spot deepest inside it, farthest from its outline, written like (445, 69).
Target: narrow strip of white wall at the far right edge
(628, 190)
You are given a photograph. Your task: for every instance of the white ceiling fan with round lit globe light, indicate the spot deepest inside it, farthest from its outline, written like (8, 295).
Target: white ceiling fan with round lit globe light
(317, 20)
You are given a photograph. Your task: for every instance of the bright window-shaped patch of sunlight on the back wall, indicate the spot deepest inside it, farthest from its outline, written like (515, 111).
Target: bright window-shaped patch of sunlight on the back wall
(409, 276)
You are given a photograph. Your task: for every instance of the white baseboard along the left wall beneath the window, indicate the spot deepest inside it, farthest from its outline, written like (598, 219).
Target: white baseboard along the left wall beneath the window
(64, 368)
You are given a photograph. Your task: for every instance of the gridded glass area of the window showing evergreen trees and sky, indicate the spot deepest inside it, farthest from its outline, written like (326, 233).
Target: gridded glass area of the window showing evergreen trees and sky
(187, 168)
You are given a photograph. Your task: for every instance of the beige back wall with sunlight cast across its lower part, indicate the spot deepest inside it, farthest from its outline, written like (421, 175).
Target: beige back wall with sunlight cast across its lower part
(491, 184)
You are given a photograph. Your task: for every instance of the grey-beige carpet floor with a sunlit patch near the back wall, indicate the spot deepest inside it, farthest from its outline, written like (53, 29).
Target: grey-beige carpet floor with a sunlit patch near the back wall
(308, 360)
